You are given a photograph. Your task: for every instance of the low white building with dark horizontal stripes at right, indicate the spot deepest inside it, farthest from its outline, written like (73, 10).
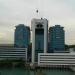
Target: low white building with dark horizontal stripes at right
(56, 59)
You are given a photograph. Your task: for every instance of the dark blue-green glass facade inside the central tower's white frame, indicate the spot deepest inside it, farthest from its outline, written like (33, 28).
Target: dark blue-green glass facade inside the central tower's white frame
(39, 42)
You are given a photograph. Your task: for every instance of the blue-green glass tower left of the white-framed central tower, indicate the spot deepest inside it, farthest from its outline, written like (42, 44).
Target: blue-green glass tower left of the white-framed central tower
(22, 36)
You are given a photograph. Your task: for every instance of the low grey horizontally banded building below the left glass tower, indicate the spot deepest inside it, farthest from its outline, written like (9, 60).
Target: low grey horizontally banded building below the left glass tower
(13, 54)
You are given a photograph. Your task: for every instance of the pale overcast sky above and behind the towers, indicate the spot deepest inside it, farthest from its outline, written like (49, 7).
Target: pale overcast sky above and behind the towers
(14, 12)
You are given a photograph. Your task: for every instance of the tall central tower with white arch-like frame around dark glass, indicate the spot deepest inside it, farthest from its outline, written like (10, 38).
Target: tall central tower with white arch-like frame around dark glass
(39, 29)
